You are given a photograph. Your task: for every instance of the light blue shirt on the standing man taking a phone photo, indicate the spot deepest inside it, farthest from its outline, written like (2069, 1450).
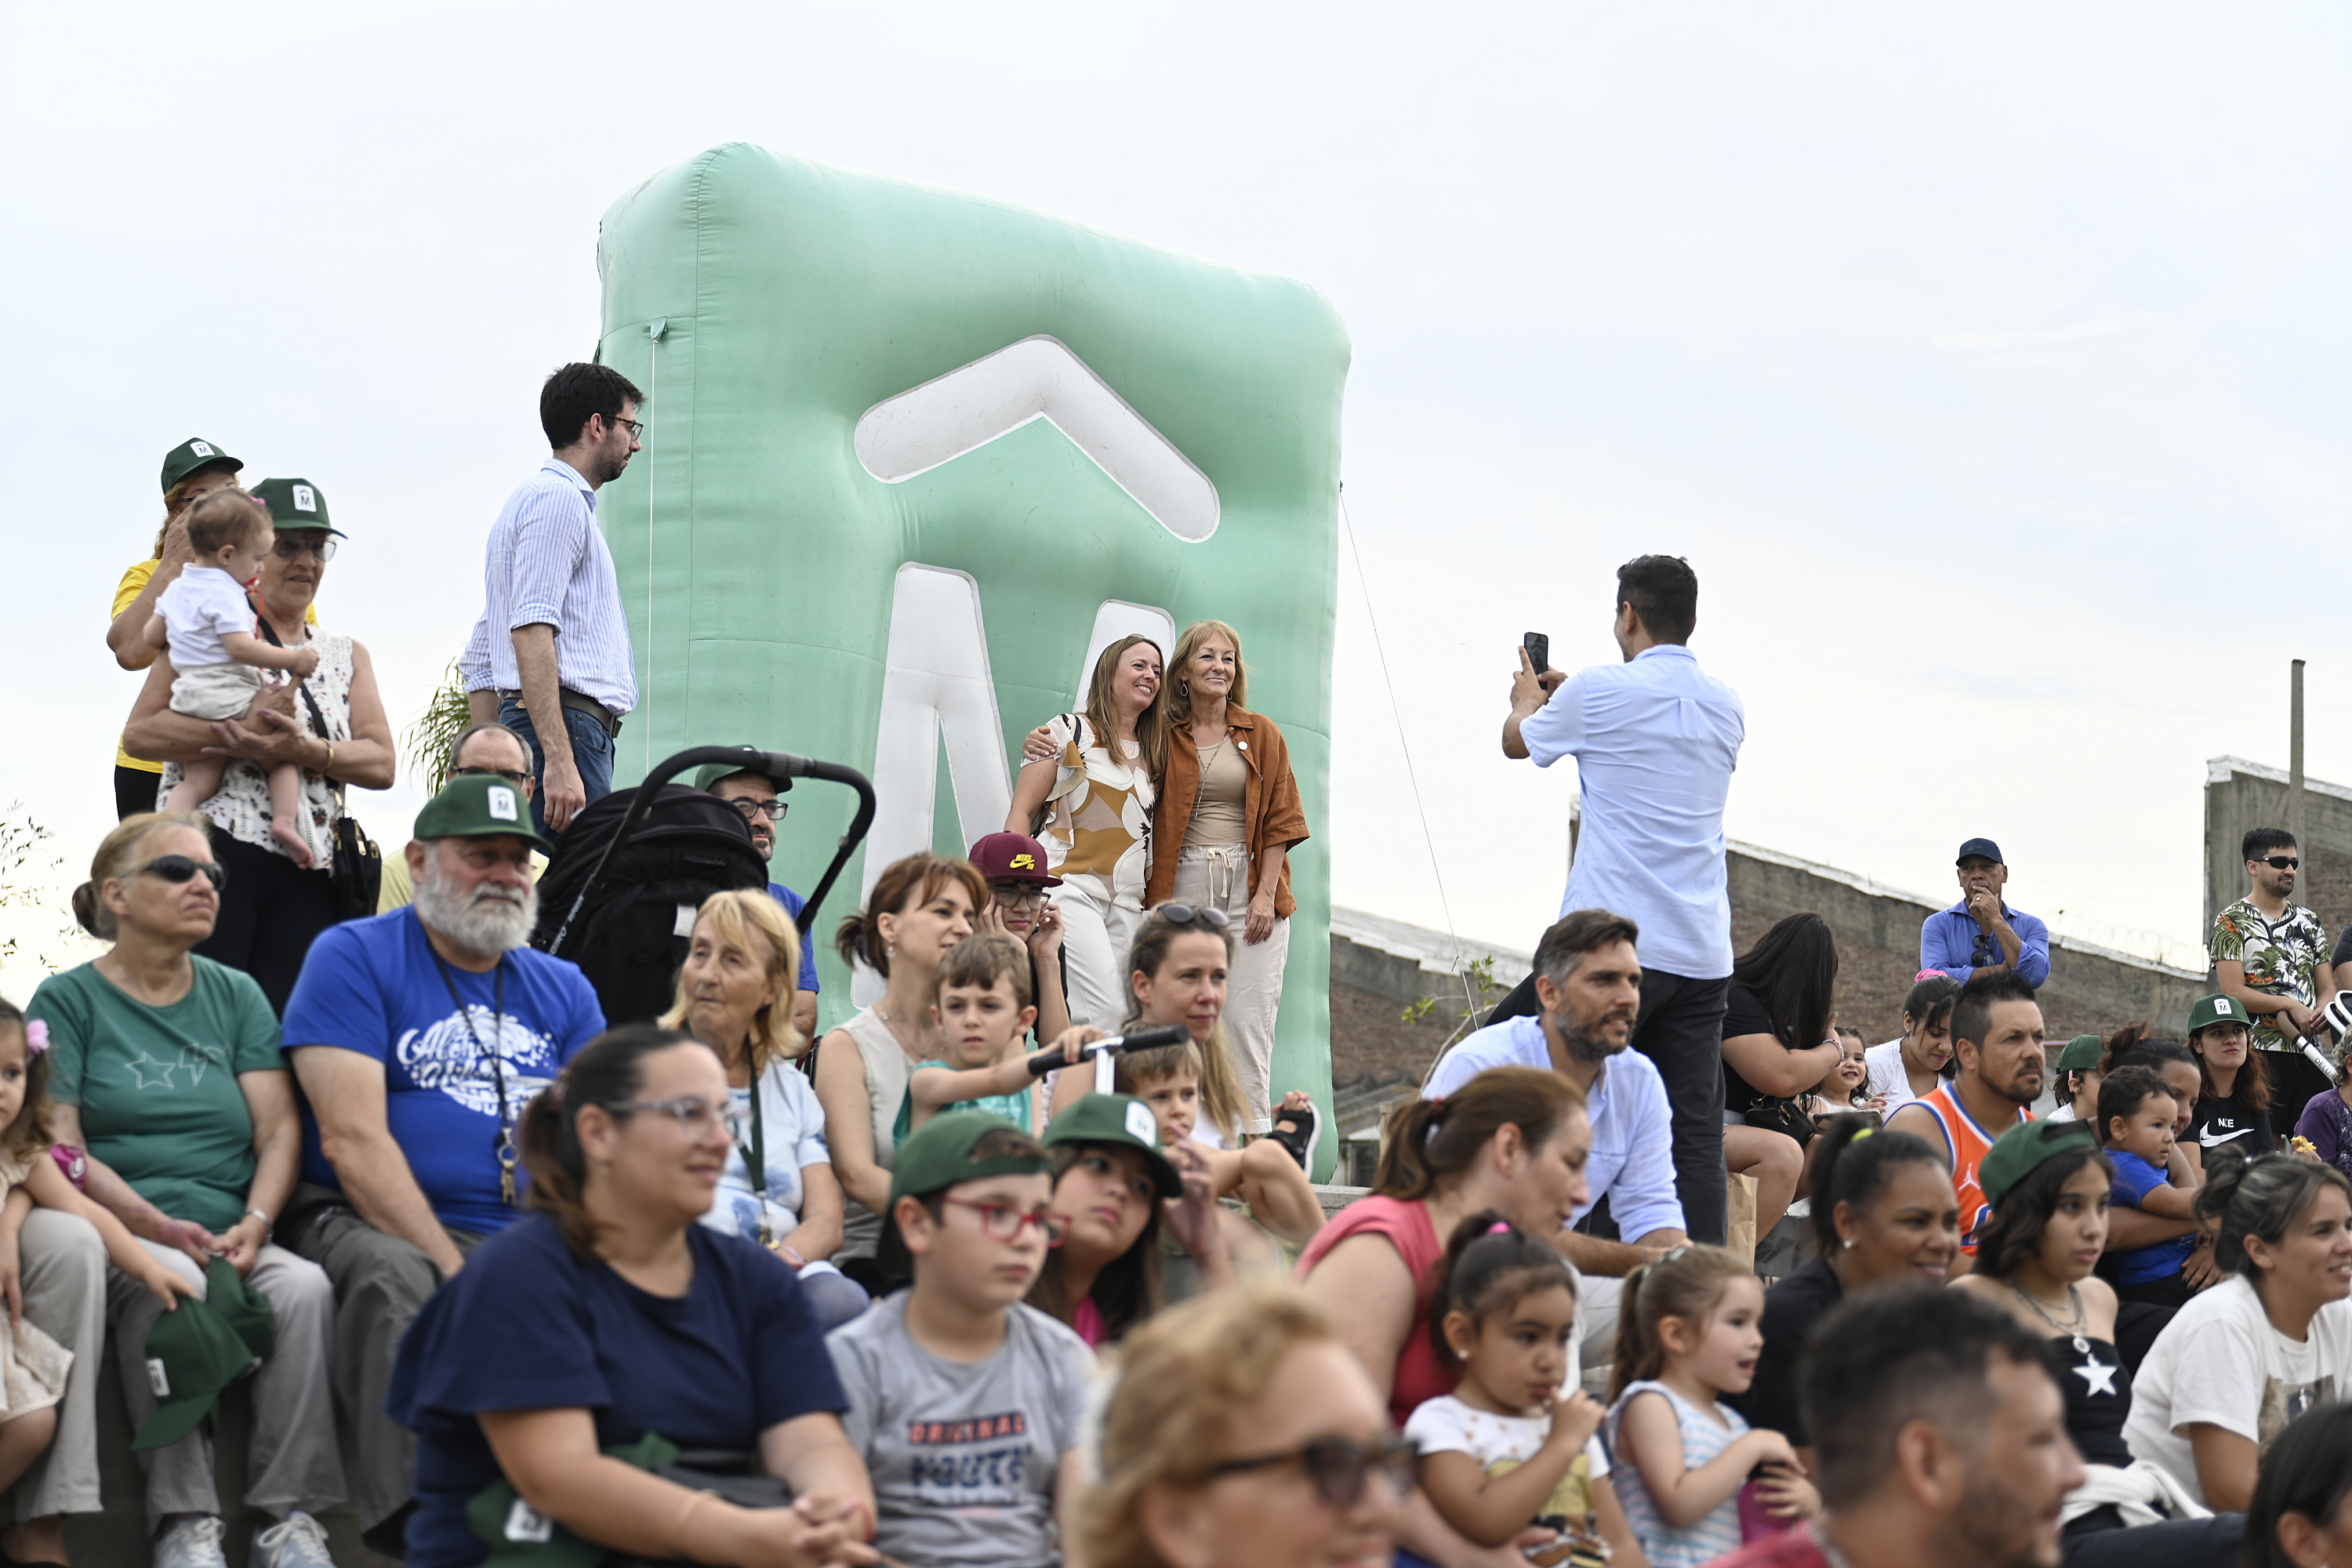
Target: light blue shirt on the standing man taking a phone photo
(1655, 744)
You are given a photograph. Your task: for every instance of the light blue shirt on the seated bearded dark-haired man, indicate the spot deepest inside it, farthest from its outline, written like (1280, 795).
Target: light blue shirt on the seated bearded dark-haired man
(1633, 1132)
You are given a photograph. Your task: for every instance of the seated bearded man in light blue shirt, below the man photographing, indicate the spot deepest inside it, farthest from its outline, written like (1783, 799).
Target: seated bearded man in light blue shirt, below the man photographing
(1589, 986)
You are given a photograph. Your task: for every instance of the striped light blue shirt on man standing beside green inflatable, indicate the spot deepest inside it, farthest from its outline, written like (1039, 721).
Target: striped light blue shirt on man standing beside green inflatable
(549, 565)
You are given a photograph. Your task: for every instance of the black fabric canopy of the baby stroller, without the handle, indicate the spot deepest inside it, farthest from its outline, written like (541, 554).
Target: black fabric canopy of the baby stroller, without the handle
(634, 932)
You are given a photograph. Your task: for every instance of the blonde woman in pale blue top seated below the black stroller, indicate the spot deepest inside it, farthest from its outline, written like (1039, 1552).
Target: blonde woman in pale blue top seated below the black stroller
(735, 993)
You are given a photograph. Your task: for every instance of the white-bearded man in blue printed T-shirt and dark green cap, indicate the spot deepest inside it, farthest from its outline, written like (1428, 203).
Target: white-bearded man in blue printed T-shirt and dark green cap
(417, 1040)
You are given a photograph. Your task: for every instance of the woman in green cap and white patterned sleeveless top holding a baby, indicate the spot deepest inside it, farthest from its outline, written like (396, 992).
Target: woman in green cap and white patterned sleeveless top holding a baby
(338, 732)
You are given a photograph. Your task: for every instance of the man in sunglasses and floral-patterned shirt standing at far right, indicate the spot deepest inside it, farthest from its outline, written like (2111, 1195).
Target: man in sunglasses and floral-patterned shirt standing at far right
(2273, 958)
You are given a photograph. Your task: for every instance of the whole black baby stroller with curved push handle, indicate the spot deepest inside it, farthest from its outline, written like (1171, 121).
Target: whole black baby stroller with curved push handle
(632, 871)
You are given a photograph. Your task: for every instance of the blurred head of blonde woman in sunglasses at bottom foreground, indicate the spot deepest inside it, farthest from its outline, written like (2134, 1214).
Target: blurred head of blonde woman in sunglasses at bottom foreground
(1243, 1435)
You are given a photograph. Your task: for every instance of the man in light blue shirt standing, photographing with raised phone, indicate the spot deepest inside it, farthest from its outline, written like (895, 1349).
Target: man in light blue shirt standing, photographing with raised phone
(1655, 744)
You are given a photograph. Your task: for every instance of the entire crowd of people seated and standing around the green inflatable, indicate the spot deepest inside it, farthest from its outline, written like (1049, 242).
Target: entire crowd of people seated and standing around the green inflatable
(942, 1285)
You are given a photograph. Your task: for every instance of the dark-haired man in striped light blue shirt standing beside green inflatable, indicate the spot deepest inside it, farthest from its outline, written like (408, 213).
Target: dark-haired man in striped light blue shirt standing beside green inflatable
(552, 657)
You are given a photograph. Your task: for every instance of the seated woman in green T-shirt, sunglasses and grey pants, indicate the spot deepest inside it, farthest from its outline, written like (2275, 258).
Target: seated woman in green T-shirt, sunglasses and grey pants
(166, 1068)
